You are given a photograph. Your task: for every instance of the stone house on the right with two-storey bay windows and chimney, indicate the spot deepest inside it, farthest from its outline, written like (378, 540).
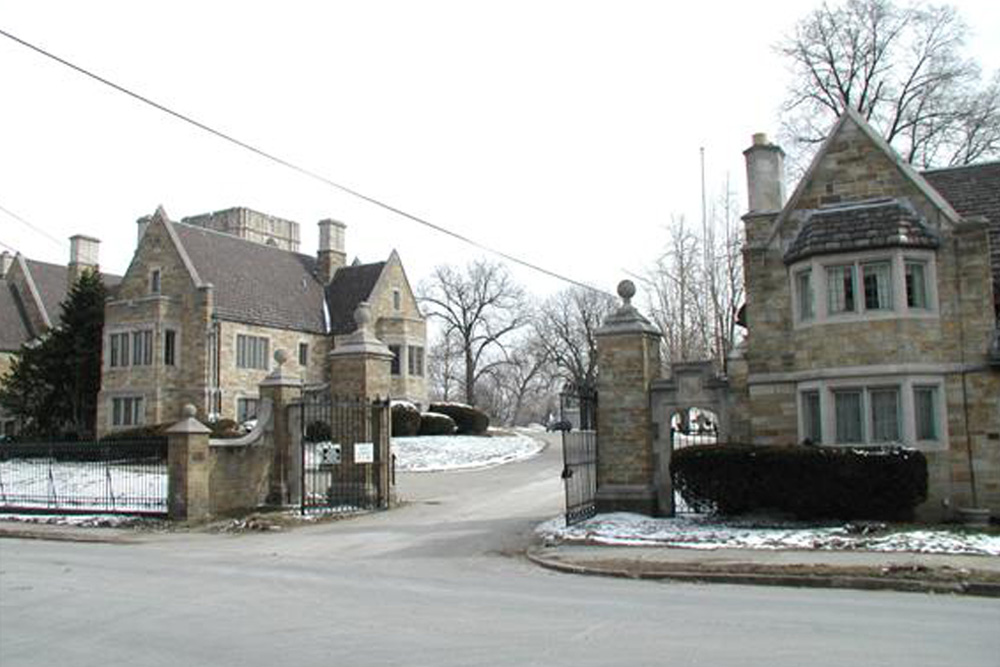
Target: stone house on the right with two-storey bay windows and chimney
(872, 309)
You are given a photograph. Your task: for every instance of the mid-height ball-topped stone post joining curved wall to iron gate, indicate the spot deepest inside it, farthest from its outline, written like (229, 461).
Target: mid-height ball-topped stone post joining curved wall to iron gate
(282, 390)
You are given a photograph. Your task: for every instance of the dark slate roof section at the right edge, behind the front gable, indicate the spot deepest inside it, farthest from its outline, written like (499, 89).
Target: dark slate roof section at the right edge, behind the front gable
(973, 190)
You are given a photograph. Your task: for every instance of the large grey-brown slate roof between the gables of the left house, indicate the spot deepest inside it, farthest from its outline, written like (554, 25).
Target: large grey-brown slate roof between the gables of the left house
(255, 283)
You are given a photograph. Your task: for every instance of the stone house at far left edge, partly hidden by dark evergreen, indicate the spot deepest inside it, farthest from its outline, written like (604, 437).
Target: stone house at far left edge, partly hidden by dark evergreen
(31, 293)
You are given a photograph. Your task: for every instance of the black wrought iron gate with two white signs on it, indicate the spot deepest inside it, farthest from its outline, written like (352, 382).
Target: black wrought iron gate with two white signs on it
(346, 459)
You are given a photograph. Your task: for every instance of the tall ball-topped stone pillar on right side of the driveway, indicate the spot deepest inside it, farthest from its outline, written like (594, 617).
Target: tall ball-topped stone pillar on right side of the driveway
(628, 353)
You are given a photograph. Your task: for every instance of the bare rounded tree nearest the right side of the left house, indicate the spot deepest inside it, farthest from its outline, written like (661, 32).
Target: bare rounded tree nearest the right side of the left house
(479, 307)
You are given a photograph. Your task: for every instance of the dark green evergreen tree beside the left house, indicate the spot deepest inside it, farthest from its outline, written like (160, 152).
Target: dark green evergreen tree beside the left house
(54, 381)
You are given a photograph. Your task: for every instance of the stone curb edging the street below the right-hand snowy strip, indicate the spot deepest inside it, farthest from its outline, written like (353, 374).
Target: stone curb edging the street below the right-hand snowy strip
(845, 581)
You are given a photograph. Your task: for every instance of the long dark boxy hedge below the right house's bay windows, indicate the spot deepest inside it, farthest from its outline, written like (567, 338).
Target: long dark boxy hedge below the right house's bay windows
(807, 482)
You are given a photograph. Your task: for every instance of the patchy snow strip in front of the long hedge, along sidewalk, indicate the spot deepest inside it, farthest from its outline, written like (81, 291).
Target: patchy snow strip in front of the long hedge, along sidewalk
(704, 532)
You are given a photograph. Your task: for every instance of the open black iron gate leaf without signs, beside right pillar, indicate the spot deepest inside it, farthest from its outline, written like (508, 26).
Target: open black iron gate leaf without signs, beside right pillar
(578, 421)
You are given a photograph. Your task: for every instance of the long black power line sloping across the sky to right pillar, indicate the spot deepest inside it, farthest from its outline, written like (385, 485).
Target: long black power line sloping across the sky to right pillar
(294, 167)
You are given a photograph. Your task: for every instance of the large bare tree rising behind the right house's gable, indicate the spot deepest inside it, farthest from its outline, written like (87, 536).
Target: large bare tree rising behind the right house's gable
(902, 69)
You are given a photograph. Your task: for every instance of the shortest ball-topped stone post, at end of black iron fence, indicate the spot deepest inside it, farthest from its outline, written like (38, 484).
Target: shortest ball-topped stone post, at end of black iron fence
(188, 469)
